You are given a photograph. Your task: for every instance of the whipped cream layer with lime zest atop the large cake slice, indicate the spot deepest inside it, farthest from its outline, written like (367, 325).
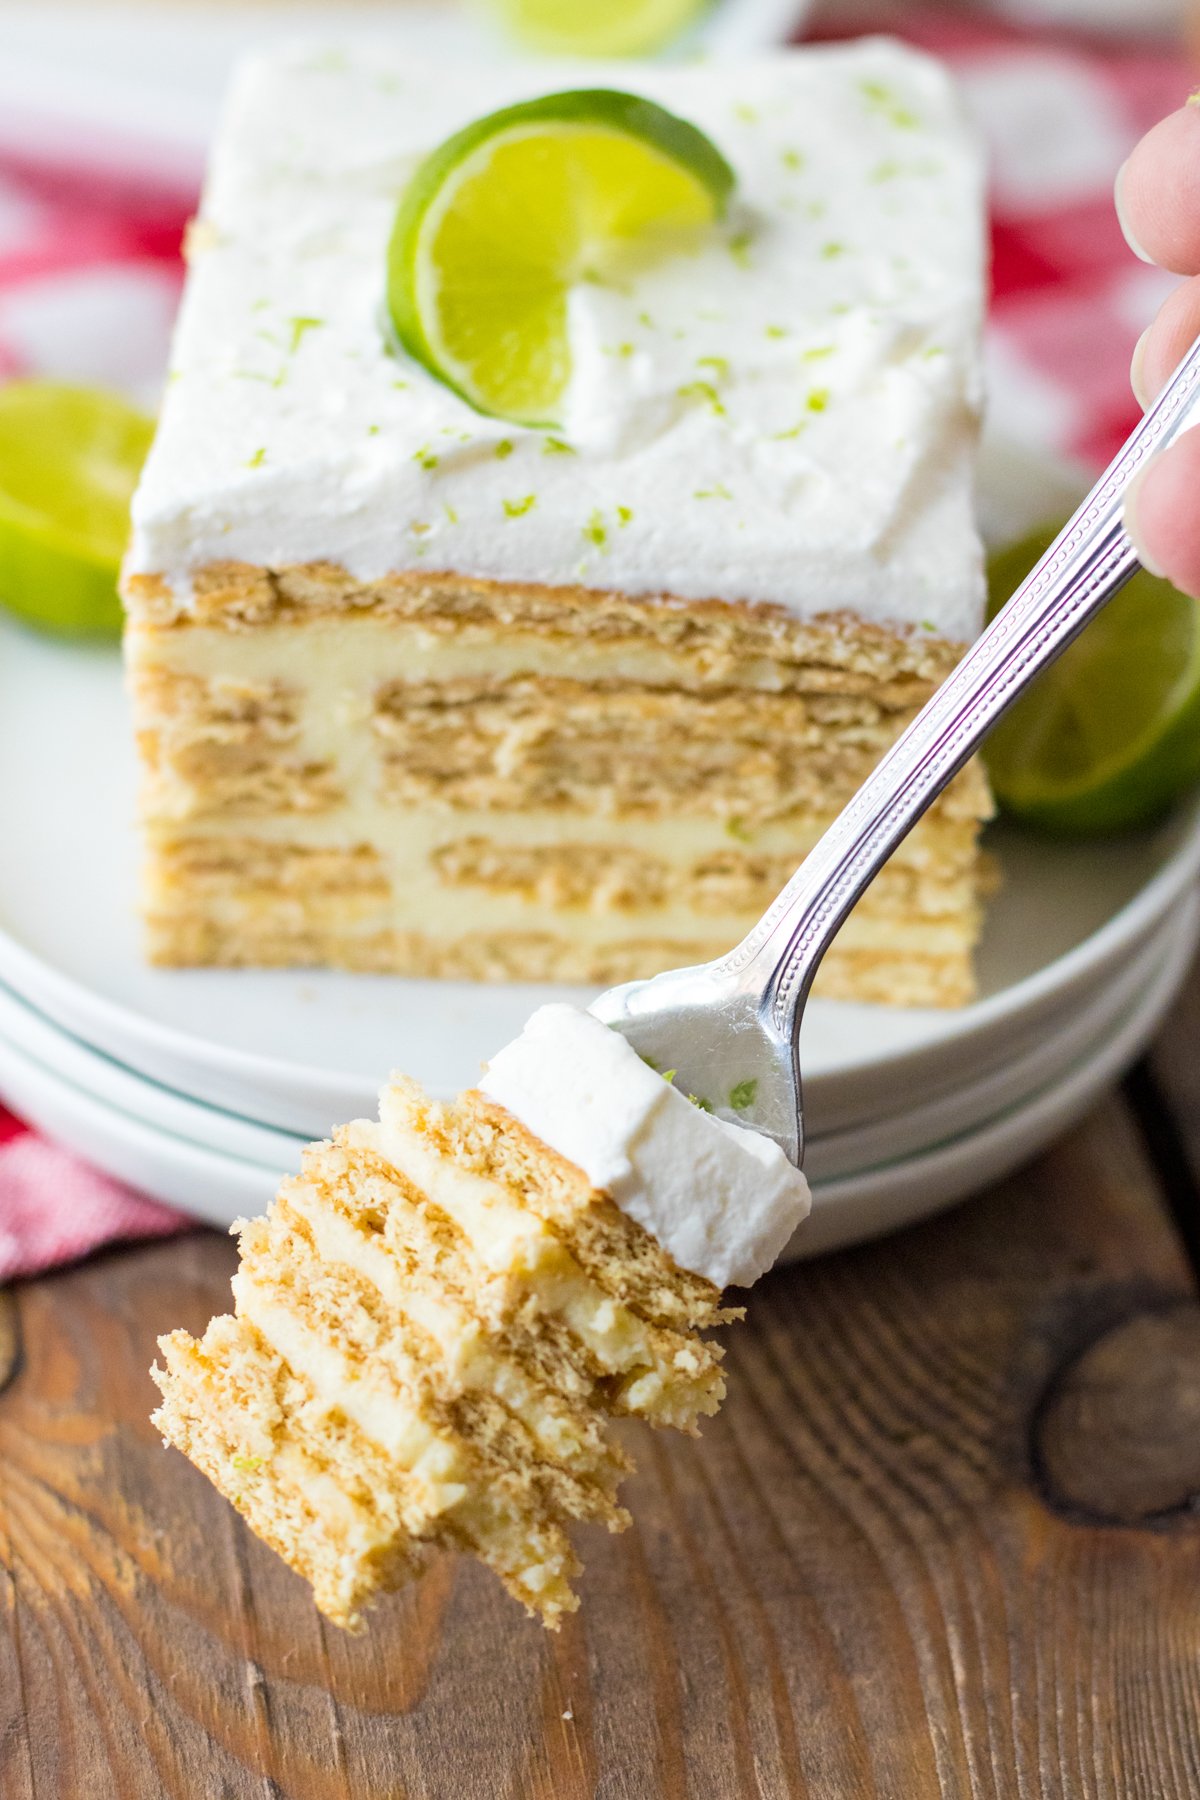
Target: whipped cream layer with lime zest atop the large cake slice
(784, 417)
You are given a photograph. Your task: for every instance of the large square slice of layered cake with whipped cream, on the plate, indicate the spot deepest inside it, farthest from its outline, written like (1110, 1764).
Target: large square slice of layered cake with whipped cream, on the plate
(424, 692)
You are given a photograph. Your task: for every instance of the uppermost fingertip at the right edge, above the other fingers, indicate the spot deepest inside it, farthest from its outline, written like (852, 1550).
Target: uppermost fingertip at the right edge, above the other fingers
(1160, 193)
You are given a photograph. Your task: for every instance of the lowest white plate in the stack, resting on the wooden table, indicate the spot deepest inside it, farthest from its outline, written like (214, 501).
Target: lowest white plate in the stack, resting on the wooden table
(220, 1189)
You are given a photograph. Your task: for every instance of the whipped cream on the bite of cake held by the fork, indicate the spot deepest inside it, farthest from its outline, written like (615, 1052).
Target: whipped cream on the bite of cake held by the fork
(719, 1198)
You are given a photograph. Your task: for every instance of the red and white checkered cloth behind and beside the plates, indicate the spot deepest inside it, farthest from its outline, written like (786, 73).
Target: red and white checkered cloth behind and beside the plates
(91, 276)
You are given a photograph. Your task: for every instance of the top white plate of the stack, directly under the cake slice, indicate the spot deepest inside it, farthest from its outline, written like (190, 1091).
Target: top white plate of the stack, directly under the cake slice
(300, 1050)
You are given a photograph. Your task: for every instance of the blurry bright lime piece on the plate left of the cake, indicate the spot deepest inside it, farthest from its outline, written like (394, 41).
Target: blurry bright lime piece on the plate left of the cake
(69, 463)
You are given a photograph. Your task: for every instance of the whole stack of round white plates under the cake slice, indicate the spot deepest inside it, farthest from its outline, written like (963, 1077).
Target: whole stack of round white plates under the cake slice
(202, 1086)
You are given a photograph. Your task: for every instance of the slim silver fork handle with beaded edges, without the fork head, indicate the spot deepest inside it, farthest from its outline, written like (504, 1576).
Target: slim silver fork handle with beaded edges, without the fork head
(1080, 573)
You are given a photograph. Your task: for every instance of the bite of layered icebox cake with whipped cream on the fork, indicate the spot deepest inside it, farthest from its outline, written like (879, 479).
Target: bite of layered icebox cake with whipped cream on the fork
(440, 1318)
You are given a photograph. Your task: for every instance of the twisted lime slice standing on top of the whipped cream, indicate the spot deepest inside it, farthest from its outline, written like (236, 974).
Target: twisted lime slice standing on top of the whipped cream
(510, 213)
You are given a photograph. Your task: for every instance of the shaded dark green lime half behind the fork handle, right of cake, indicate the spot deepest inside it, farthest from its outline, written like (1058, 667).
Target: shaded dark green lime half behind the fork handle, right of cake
(1111, 735)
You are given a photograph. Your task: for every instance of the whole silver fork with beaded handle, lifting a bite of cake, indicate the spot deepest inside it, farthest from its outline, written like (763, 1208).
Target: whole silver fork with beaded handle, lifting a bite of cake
(730, 1030)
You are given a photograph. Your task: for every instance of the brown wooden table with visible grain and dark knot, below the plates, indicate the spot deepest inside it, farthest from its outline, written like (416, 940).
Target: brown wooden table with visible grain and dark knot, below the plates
(944, 1540)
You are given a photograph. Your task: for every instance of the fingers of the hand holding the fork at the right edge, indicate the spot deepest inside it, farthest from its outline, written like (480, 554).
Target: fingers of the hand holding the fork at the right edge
(1160, 211)
